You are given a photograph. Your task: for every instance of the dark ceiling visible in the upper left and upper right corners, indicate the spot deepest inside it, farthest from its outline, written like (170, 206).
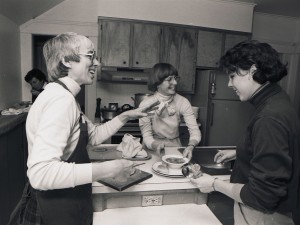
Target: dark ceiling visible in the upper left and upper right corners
(21, 11)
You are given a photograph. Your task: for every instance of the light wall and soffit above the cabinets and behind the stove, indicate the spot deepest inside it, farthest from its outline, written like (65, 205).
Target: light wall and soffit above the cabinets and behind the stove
(81, 16)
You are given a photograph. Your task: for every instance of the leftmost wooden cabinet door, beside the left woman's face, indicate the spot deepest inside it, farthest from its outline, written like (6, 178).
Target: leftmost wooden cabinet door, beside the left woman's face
(115, 43)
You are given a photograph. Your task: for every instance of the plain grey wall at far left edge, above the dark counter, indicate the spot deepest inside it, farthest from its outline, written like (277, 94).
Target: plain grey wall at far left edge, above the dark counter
(10, 76)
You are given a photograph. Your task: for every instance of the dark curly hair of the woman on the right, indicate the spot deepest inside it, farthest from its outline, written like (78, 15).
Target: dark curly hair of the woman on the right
(262, 55)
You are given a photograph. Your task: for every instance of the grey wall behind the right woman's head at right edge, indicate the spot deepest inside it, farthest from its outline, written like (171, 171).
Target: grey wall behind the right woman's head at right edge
(283, 33)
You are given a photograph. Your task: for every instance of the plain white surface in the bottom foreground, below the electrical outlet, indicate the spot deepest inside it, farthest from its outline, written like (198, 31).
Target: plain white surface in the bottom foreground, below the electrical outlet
(187, 214)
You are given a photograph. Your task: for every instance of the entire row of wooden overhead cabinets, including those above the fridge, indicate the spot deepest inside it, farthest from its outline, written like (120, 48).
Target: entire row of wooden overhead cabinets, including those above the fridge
(131, 45)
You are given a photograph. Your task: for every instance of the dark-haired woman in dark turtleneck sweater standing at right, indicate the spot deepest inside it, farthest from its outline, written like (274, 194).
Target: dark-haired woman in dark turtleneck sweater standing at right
(264, 183)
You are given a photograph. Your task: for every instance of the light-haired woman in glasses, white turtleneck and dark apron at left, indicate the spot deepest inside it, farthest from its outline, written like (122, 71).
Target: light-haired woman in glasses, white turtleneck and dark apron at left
(60, 173)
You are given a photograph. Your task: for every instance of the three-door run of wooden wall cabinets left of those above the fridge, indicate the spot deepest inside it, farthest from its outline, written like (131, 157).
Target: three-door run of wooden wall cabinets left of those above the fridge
(134, 45)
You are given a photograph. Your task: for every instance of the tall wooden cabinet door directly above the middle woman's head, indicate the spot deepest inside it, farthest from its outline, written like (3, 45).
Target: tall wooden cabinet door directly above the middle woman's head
(179, 49)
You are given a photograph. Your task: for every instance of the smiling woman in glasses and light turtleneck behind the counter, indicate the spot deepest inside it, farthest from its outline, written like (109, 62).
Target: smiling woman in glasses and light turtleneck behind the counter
(162, 129)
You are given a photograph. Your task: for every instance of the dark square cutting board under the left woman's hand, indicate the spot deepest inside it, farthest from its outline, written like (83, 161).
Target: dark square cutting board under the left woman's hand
(122, 184)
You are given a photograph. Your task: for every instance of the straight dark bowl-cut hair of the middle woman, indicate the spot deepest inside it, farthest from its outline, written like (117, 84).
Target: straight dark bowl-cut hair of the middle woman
(159, 72)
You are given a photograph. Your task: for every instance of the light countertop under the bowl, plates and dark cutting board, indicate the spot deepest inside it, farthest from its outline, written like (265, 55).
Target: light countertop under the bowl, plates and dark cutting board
(156, 182)
